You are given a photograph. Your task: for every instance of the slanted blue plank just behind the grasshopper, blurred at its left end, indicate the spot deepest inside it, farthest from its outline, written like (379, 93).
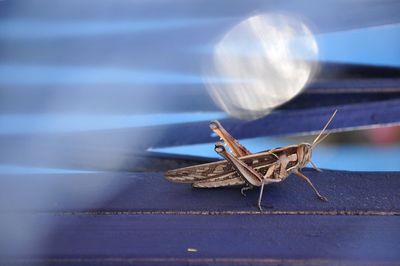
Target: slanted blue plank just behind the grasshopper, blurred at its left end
(96, 147)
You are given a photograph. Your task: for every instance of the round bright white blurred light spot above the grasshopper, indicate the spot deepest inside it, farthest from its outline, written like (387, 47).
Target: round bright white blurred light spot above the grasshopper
(272, 57)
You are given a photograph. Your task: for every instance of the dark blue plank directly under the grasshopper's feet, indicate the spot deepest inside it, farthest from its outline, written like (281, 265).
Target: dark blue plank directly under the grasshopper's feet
(359, 193)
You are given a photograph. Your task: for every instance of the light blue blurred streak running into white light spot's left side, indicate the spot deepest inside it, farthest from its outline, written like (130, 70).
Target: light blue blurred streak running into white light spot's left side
(78, 75)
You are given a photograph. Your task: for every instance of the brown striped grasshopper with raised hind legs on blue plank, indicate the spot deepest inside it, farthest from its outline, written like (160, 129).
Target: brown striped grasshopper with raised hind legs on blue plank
(241, 167)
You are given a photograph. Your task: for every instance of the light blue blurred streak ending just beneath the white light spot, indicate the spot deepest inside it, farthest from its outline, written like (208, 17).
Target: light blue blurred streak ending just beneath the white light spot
(53, 123)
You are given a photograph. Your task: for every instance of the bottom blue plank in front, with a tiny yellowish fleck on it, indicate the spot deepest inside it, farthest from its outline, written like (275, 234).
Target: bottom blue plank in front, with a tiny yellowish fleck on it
(206, 239)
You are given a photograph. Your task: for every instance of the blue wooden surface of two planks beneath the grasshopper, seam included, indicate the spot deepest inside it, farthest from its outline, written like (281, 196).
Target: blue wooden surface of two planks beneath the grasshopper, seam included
(136, 218)
